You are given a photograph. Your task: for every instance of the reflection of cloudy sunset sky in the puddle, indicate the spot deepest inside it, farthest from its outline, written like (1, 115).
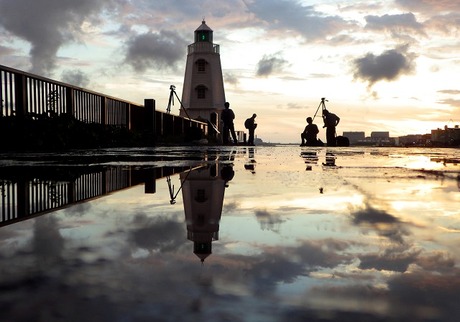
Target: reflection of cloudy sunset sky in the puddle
(142, 265)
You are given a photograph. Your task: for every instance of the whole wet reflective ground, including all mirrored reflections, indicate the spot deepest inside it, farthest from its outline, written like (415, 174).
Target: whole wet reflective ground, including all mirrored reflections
(232, 234)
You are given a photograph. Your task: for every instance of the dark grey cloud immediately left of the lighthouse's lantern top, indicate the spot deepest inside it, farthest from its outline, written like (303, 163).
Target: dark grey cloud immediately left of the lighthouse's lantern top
(155, 50)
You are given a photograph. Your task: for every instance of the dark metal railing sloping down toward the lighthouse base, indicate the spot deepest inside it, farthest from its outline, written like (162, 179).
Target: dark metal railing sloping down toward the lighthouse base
(24, 94)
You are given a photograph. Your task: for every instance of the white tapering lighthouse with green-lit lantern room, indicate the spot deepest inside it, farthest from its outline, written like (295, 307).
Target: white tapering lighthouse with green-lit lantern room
(203, 94)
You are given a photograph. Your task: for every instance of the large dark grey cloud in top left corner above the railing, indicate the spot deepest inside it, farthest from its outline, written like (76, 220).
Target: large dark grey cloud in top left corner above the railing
(47, 25)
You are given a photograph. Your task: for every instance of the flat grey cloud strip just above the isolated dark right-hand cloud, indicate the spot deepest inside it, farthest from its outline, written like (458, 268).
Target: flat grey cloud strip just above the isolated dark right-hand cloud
(406, 21)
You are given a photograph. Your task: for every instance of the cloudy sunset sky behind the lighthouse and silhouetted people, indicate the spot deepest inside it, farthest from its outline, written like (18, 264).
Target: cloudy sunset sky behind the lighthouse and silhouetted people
(382, 65)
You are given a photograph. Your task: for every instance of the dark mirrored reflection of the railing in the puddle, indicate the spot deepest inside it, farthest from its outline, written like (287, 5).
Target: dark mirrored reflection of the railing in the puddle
(27, 192)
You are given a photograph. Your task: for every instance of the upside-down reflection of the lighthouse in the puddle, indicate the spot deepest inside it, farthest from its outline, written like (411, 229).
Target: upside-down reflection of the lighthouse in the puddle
(203, 195)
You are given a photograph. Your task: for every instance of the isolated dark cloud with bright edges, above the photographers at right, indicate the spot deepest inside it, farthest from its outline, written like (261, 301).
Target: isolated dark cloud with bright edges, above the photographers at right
(389, 65)
